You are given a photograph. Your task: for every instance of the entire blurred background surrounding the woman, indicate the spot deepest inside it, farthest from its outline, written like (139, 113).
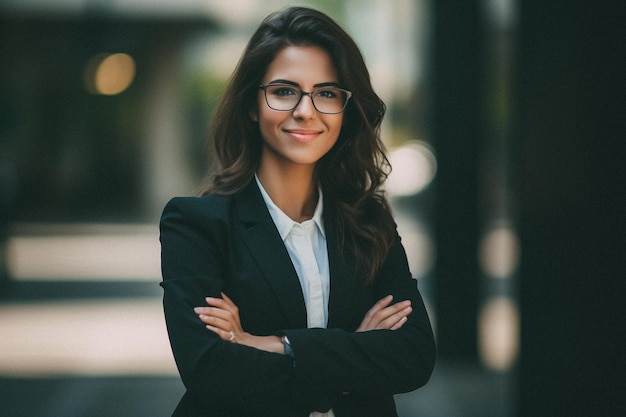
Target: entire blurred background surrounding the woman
(505, 130)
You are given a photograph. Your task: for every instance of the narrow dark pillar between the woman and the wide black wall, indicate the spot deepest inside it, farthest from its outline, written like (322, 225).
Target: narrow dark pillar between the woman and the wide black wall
(457, 70)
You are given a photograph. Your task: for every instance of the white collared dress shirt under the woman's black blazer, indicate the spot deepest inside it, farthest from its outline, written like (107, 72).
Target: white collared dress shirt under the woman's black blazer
(306, 245)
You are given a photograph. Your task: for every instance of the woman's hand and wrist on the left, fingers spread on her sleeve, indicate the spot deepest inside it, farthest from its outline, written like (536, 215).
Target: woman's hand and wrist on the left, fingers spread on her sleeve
(222, 318)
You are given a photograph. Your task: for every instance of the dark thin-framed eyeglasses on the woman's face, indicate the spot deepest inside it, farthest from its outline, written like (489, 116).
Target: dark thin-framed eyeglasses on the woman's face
(286, 97)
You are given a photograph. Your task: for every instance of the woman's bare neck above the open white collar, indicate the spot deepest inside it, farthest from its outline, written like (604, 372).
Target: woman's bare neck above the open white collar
(294, 192)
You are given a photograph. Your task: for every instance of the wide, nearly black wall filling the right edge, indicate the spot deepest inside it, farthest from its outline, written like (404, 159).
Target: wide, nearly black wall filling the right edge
(570, 158)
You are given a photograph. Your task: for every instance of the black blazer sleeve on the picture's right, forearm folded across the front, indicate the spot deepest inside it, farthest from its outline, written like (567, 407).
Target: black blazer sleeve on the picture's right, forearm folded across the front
(379, 361)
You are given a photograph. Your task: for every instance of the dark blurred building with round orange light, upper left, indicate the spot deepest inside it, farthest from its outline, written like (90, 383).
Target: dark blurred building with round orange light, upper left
(93, 121)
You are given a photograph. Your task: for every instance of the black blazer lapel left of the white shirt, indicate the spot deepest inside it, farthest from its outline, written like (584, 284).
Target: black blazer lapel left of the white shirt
(267, 248)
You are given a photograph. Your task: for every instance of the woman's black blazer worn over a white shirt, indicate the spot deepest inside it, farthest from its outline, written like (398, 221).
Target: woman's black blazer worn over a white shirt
(230, 243)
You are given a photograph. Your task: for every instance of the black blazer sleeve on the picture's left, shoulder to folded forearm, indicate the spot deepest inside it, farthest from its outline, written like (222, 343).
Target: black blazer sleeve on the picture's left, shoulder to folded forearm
(221, 377)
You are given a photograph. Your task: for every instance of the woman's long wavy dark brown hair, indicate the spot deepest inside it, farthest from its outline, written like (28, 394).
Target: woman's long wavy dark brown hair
(352, 172)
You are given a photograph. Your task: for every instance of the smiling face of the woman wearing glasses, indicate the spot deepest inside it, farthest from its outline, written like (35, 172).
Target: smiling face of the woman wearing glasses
(303, 135)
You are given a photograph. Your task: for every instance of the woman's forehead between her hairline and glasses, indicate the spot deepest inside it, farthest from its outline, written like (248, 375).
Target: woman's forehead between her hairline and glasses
(304, 65)
